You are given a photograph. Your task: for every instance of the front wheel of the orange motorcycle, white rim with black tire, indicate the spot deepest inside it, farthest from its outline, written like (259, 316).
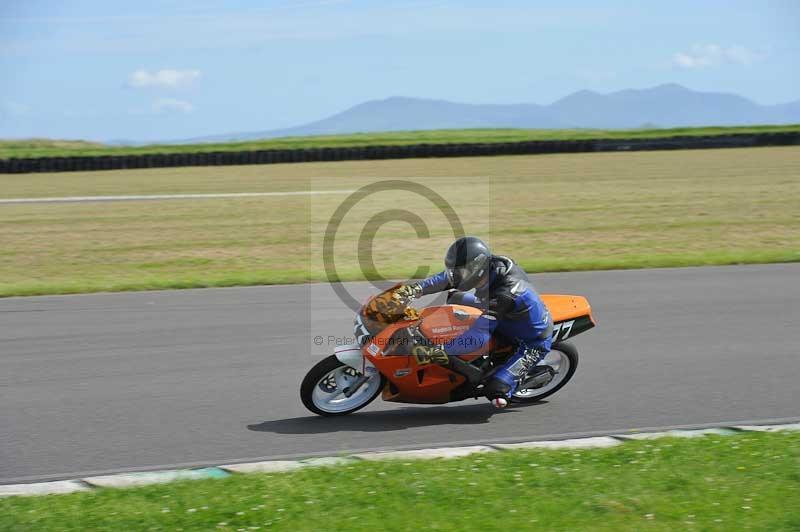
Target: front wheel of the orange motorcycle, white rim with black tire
(323, 389)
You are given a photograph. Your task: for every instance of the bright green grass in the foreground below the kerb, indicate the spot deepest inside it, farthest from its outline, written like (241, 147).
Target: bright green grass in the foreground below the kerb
(747, 481)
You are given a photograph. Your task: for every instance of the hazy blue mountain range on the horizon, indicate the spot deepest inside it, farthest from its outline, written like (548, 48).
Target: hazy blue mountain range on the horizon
(667, 105)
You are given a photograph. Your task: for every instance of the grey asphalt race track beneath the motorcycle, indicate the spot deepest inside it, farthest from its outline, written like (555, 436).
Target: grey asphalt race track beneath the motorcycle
(131, 381)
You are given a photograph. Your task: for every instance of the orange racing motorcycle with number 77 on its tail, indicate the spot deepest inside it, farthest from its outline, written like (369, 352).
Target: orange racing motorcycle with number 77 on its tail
(385, 357)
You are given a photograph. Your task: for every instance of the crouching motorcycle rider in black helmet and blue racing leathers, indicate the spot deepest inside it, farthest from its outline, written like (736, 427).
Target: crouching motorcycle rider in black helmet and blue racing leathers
(511, 309)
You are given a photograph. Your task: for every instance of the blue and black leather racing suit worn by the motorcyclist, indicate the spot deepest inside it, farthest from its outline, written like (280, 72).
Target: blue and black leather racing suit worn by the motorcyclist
(512, 310)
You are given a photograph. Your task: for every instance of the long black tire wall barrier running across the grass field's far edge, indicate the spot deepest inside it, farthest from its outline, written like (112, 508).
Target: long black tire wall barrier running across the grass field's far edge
(358, 153)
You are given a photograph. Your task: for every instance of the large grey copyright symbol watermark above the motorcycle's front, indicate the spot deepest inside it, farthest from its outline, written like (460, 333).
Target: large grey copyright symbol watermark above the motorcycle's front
(374, 223)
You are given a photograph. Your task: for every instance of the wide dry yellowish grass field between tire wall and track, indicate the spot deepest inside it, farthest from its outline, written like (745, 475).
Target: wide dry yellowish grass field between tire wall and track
(551, 213)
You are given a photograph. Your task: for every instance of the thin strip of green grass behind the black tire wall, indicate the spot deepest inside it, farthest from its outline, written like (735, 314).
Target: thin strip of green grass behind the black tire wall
(63, 148)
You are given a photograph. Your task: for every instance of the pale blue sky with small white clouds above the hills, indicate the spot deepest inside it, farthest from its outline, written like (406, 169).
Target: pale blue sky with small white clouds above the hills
(170, 69)
